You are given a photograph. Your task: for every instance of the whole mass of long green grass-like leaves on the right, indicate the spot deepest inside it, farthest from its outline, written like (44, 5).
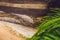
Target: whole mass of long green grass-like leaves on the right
(50, 29)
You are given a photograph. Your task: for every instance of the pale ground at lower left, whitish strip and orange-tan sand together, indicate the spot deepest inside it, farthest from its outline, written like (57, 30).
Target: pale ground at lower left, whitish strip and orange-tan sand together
(5, 33)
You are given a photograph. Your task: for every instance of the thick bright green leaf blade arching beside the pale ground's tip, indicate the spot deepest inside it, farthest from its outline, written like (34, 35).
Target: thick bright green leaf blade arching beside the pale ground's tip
(43, 28)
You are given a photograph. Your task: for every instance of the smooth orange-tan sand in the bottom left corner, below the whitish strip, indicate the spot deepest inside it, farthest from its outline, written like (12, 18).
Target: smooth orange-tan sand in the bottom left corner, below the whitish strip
(6, 35)
